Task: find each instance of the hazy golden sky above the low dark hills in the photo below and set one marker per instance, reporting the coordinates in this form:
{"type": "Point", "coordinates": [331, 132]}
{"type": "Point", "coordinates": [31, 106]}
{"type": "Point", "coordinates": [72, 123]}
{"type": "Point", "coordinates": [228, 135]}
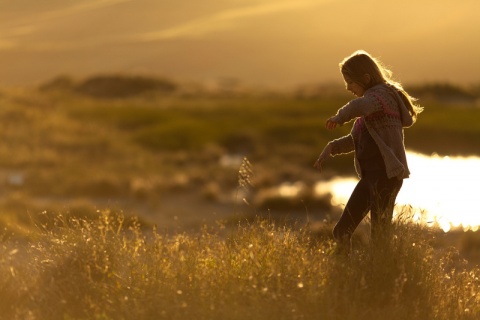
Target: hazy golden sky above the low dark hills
{"type": "Point", "coordinates": [276, 43]}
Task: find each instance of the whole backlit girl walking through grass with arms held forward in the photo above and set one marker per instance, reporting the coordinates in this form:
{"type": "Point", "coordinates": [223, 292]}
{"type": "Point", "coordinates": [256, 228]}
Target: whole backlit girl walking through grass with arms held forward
{"type": "Point", "coordinates": [381, 111]}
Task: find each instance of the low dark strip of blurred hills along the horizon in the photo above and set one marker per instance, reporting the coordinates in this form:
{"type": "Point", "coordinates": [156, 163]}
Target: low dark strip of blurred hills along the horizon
{"type": "Point", "coordinates": [130, 85]}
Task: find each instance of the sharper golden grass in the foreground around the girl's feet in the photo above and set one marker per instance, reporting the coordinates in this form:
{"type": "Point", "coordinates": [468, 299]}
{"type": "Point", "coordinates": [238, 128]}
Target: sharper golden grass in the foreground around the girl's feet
{"type": "Point", "coordinates": [110, 268]}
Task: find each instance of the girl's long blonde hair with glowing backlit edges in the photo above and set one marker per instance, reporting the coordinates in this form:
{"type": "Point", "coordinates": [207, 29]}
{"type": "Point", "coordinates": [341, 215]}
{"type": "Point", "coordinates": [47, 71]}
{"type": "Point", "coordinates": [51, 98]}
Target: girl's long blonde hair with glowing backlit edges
{"type": "Point", "coordinates": [360, 63]}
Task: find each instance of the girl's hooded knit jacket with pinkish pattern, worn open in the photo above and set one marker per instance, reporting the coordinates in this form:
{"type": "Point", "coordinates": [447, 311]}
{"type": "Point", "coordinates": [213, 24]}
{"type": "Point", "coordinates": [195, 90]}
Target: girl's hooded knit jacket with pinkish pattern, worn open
{"type": "Point", "coordinates": [385, 115]}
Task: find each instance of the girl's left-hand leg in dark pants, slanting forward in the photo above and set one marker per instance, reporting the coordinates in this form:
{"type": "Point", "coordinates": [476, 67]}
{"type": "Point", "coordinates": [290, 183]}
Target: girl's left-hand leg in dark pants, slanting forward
{"type": "Point", "coordinates": [356, 209]}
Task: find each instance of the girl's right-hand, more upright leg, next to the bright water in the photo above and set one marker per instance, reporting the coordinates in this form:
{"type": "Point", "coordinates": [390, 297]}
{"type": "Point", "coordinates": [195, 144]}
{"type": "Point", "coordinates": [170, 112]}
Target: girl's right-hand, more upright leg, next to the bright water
{"type": "Point", "coordinates": [381, 213]}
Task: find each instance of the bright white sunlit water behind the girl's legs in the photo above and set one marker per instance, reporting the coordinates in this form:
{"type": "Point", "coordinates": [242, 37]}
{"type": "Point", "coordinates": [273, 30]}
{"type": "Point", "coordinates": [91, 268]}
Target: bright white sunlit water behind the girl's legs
{"type": "Point", "coordinates": [441, 190]}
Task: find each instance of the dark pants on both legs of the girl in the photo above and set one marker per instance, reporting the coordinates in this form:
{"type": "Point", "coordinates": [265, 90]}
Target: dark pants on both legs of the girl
{"type": "Point", "coordinates": [375, 193]}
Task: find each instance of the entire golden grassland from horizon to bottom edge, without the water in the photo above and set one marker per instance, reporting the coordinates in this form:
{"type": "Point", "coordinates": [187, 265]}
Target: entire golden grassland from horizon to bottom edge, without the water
{"type": "Point", "coordinates": [75, 169]}
